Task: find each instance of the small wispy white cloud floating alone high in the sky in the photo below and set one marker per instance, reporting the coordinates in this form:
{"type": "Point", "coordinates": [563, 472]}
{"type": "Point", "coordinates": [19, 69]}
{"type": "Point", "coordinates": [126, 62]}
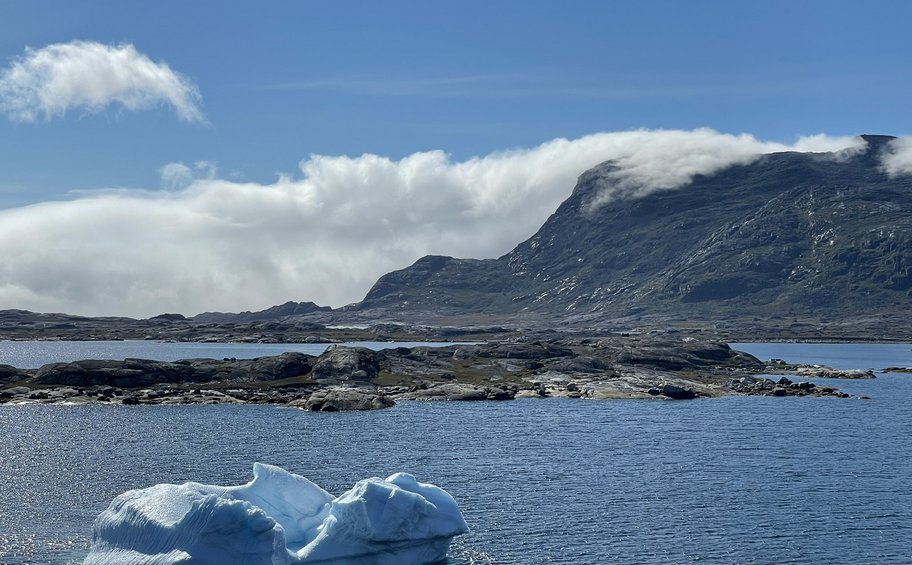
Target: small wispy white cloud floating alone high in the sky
{"type": "Point", "coordinates": [88, 76]}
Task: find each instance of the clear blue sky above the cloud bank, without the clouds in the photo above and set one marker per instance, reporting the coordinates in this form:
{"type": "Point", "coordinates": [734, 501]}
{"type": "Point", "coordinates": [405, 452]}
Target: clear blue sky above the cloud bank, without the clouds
{"type": "Point", "coordinates": [282, 80]}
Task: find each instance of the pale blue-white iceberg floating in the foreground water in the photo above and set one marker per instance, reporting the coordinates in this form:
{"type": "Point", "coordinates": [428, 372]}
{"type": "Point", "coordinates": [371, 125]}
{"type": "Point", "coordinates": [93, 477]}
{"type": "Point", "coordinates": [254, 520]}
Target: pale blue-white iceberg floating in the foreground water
{"type": "Point", "coordinates": [278, 518]}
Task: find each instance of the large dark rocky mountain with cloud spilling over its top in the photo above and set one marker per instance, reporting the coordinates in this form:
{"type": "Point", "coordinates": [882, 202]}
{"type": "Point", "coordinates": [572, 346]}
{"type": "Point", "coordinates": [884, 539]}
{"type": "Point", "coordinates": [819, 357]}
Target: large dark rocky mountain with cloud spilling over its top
{"type": "Point", "coordinates": [815, 236]}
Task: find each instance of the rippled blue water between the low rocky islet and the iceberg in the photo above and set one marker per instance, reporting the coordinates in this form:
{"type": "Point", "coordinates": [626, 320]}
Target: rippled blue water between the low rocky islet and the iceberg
{"type": "Point", "coordinates": [731, 480]}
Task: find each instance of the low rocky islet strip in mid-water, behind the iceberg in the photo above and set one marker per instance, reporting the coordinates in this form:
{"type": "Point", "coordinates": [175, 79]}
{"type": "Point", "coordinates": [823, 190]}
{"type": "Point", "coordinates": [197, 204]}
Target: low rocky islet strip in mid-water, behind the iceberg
{"type": "Point", "coordinates": [355, 378]}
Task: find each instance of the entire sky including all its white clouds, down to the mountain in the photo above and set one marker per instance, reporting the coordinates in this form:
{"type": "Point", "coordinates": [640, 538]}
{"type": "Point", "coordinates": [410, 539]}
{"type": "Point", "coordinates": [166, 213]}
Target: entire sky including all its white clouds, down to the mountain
{"type": "Point", "coordinates": [190, 156]}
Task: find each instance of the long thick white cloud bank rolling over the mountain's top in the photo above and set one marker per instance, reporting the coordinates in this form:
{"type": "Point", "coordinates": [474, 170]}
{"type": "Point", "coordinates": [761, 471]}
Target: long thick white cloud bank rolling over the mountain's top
{"type": "Point", "coordinates": [326, 235]}
